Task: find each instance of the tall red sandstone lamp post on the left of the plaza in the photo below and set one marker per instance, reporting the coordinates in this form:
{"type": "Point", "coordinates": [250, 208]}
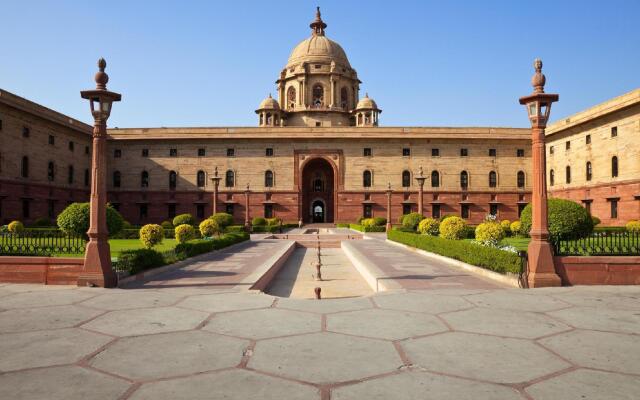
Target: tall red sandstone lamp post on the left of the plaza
{"type": "Point", "coordinates": [97, 269]}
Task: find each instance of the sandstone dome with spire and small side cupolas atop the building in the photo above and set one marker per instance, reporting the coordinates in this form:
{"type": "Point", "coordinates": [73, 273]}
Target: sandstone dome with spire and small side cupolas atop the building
{"type": "Point", "coordinates": [318, 87]}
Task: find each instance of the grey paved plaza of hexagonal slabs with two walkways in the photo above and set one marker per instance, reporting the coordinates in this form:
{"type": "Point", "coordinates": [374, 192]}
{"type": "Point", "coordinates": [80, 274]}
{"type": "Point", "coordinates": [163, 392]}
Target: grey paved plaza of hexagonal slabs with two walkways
{"type": "Point", "coordinates": [198, 335]}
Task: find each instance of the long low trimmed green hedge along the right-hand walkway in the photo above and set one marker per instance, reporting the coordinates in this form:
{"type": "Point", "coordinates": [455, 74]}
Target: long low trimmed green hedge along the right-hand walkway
{"type": "Point", "coordinates": [470, 253]}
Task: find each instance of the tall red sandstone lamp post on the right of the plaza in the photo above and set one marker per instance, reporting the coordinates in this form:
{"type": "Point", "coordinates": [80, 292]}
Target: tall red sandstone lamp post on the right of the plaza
{"type": "Point", "coordinates": [541, 267]}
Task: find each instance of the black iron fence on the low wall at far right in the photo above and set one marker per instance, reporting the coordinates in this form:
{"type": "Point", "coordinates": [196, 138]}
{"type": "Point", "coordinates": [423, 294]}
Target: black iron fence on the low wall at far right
{"type": "Point", "coordinates": [600, 244]}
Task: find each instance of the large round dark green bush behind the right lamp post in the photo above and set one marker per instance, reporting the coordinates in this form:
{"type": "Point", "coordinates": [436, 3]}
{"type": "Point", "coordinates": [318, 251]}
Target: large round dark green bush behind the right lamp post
{"type": "Point", "coordinates": [567, 219]}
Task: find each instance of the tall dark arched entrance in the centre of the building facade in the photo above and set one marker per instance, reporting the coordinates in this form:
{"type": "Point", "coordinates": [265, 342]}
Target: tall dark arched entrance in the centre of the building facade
{"type": "Point", "coordinates": [318, 191]}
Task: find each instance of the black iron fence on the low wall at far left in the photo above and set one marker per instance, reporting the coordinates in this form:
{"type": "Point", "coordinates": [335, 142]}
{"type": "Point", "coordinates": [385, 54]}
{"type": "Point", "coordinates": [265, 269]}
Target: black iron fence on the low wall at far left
{"type": "Point", "coordinates": [41, 243]}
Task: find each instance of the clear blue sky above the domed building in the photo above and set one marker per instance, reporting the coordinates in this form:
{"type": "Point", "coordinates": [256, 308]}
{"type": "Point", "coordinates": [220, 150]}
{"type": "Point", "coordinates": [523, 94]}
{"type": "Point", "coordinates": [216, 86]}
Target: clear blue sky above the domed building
{"type": "Point", "coordinates": [426, 63]}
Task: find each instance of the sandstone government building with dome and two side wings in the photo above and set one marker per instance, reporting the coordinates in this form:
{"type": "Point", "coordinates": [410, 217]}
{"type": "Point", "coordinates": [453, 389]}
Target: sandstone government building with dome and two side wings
{"type": "Point", "coordinates": [319, 154]}
